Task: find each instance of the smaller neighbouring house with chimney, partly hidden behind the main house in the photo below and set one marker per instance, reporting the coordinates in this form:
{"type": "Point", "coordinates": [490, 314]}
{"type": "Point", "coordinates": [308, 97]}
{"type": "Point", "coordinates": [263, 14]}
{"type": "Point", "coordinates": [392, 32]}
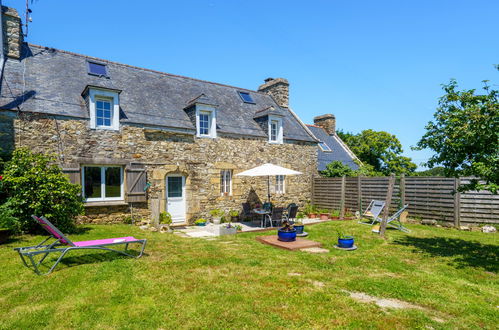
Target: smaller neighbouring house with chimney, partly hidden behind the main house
{"type": "Point", "coordinates": [330, 146]}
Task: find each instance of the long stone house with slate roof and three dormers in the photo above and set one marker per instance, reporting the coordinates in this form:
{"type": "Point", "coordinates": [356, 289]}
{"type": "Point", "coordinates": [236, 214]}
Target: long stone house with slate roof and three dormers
{"type": "Point", "coordinates": [143, 141]}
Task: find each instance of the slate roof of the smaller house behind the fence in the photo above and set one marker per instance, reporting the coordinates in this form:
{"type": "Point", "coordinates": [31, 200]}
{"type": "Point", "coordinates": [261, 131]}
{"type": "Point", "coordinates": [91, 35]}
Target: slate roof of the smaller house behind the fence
{"type": "Point", "coordinates": [339, 151]}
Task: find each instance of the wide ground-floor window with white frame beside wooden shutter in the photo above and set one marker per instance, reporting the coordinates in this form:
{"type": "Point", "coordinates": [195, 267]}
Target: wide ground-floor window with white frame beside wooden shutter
{"type": "Point", "coordinates": [102, 183]}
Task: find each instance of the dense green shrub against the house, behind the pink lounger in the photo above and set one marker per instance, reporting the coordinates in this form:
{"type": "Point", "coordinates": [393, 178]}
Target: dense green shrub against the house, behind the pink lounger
{"type": "Point", "coordinates": [34, 184]}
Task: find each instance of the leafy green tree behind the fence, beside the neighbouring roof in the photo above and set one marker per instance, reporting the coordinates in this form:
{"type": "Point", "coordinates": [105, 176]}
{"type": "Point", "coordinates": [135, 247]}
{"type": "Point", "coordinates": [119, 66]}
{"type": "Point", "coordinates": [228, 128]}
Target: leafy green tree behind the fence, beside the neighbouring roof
{"type": "Point", "coordinates": [381, 150]}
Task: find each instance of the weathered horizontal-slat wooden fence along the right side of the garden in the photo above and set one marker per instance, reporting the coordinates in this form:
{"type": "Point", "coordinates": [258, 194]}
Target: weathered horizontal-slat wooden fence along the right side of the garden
{"type": "Point", "coordinates": [428, 197]}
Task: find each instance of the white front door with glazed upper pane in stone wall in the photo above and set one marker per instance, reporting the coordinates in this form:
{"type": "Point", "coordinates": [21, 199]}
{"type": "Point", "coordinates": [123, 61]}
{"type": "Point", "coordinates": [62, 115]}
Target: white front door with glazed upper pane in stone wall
{"type": "Point", "coordinates": [175, 197]}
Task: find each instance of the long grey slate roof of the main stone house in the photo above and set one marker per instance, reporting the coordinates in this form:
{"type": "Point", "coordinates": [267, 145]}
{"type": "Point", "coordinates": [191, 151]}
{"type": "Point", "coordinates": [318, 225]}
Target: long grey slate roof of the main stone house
{"type": "Point", "coordinates": [55, 79]}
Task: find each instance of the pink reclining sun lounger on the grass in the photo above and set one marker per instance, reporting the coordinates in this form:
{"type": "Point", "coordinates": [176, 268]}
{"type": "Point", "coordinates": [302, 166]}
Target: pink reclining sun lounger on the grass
{"type": "Point", "coordinates": [63, 245]}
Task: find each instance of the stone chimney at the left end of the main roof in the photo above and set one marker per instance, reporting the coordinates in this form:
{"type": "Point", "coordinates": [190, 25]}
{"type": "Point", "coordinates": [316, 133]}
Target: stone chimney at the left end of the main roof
{"type": "Point", "coordinates": [12, 32]}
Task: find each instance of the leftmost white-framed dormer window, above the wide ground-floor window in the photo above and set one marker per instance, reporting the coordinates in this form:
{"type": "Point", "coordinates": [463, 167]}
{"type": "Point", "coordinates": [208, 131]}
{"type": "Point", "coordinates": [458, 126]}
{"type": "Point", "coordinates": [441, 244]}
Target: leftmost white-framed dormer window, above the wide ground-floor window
{"type": "Point", "coordinates": [104, 108]}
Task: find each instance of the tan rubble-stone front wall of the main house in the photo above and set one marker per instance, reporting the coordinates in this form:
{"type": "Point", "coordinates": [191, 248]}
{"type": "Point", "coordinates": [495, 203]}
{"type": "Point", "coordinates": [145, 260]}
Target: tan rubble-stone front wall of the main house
{"type": "Point", "coordinates": [163, 153]}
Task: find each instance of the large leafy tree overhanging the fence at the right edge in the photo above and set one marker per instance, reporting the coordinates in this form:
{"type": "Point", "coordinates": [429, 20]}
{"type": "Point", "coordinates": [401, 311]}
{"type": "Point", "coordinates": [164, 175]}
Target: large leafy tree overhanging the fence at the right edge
{"type": "Point", "coordinates": [465, 136]}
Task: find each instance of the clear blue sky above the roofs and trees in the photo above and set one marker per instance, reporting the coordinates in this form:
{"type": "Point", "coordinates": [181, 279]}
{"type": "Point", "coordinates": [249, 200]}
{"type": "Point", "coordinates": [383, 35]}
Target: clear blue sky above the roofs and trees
{"type": "Point", "coordinates": [373, 64]}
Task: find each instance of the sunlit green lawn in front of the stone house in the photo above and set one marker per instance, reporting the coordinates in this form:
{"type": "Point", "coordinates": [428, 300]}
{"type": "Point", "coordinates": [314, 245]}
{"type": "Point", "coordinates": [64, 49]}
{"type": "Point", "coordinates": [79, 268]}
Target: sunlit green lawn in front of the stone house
{"type": "Point", "coordinates": [237, 282]}
